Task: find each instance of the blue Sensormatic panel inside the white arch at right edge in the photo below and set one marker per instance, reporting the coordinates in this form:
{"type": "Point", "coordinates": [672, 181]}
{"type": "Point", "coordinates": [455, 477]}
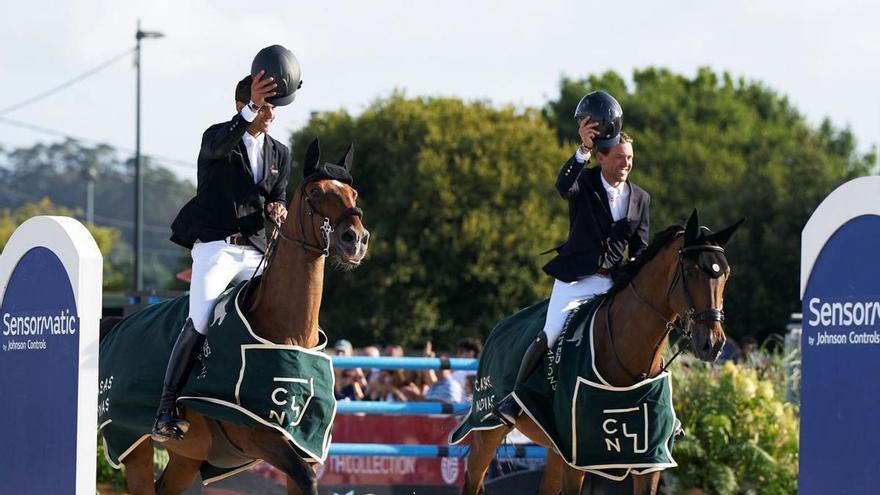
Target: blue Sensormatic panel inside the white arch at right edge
{"type": "Point", "coordinates": [839, 450]}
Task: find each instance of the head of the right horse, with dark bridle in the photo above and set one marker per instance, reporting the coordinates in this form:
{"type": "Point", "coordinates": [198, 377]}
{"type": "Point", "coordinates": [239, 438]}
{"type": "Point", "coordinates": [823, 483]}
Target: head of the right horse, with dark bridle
{"type": "Point", "coordinates": [699, 297]}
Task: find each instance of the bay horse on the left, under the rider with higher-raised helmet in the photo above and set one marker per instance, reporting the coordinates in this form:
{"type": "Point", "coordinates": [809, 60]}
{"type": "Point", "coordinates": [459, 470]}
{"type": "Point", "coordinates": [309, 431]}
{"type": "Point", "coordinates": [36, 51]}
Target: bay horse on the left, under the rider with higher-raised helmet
{"type": "Point", "coordinates": [283, 308]}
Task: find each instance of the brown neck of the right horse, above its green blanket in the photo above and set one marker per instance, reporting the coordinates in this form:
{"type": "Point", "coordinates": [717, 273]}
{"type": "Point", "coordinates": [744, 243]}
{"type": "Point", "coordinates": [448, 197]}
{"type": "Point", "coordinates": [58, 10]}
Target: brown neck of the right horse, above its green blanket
{"type": "Point", "coordinates": [636, 327]}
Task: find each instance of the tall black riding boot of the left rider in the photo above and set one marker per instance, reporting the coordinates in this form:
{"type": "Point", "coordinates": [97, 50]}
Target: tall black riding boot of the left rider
{"type": "Point", "coordinates": [169, 425]}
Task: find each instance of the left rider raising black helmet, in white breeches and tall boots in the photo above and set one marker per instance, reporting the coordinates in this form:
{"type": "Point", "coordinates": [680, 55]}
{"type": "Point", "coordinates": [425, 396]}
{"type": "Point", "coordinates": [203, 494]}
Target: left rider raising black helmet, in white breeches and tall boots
{"type": "Point", "coordinates": [242, 178]}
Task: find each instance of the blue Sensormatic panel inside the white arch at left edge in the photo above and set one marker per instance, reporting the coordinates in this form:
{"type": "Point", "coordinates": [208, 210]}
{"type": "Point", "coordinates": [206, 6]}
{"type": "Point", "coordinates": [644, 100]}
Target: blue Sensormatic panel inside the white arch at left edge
{"type": "Point", "coordinates": [39, 362]}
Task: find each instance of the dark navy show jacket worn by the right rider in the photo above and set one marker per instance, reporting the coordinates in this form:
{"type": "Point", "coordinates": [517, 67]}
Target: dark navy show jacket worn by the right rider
{"type": "Point", "coordinates": [595, 242]}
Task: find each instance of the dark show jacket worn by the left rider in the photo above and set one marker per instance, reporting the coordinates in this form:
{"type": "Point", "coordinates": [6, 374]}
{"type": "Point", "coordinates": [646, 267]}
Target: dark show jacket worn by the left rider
{"type": "Point", "coordinates": [227, 201]}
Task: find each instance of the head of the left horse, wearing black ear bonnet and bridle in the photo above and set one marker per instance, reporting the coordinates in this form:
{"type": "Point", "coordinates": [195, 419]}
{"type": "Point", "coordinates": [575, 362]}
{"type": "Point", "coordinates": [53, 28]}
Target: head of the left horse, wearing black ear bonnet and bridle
{"type": "Point", "coordinates": [329, 222]}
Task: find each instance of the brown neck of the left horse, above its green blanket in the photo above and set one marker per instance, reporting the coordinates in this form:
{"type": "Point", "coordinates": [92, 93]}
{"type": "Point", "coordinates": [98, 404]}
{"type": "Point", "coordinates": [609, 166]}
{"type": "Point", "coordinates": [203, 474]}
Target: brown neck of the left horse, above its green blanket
{"type": "Point", "coordinates": [288, 300]}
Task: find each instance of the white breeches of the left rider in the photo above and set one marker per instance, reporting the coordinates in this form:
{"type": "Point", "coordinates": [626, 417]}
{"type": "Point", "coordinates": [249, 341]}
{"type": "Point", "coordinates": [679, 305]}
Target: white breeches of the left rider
{"type": "Point", "coordinates": [215, 264]}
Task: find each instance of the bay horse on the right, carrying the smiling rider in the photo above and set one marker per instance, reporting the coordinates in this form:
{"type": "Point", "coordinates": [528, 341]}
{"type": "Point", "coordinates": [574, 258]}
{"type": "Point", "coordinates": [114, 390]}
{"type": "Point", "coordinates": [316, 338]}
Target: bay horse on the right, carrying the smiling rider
{"type": "Point", "coordinates": [679, 278]}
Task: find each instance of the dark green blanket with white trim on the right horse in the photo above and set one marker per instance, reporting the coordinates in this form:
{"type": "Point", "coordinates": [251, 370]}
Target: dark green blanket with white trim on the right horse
{"type": "Point", "coordinates": [606, 430]}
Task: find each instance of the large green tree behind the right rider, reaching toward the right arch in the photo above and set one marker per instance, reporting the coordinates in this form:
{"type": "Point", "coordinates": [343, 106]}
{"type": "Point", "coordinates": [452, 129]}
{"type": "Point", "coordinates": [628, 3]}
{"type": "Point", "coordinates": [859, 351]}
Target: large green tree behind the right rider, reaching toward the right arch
{"type": "Point", "coordinates": [731, 149]}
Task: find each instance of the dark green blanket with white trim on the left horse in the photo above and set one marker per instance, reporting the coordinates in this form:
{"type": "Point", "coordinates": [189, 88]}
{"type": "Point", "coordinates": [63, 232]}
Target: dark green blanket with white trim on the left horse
{"type": "Point", "coordinates": [239, 377]}
